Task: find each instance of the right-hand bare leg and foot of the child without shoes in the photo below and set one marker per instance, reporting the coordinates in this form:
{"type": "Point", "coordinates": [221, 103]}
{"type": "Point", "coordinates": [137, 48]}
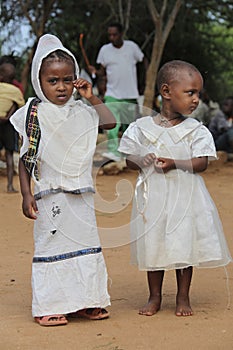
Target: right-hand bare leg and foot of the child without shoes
{"type": "Point", "coordinates": [183, 278]}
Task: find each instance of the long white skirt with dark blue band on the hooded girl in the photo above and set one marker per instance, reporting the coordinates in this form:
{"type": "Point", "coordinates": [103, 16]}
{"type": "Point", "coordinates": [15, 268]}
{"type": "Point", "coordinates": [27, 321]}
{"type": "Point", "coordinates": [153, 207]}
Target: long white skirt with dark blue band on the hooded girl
{"type": "Point", "coordinates": [68, 270]}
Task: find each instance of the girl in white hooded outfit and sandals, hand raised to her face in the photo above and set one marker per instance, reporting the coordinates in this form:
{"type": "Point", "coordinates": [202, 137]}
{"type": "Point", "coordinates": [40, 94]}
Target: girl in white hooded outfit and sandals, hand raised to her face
{"type": "Point", "coordinates": [69, 276]}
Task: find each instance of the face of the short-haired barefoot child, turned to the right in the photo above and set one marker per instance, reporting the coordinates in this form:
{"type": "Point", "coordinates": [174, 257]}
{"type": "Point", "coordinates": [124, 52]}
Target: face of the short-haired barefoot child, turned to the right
{"type": "Point", "coordinates": [184, 94]}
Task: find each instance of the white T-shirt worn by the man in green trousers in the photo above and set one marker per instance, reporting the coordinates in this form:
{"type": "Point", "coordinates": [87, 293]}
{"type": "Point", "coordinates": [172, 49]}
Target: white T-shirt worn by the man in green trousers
{"type": "Point", "coordinates": [120, 64]}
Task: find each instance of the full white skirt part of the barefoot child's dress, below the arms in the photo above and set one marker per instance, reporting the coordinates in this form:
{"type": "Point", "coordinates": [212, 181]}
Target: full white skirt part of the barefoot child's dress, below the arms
{"type": "Point", "coordinates": [175, 224]}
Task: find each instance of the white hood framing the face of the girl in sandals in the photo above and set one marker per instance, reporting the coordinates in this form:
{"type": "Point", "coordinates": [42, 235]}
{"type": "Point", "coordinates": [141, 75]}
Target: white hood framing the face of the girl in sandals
{"type": "Point", "coordinates": [47, 44]}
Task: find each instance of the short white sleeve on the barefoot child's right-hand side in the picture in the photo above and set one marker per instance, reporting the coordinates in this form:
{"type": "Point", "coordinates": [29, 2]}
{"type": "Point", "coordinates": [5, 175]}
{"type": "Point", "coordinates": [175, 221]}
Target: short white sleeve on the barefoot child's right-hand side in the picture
{"type": "Point", "coordinates": [203, 144]}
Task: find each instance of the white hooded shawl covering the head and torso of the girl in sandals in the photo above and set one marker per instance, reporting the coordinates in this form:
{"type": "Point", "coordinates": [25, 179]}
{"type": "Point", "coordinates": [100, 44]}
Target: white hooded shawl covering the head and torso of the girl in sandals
{"type": "Point", "coordinates": [68, 132]}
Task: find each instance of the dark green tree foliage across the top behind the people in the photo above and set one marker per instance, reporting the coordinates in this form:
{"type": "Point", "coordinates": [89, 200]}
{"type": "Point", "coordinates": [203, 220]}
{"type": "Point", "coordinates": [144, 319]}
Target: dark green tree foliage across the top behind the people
{"type": "Point", "coordinates": [202, 33]}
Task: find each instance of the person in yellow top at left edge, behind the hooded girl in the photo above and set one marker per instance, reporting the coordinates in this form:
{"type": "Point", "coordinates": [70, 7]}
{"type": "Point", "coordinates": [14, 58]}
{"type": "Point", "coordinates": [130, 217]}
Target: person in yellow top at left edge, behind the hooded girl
{"type": "Point", "coordinates": [11, 98]}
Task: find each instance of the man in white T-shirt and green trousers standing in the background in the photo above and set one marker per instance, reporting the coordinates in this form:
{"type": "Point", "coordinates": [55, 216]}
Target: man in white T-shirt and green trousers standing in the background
{"type": "Point", "coordinates": [118, 61]}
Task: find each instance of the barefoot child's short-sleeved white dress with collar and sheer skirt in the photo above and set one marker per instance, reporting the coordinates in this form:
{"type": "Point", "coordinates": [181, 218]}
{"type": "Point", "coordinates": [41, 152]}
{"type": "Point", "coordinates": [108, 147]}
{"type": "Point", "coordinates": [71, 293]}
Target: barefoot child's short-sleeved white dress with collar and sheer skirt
{"type": "Point", "coordinates": [175, 223]}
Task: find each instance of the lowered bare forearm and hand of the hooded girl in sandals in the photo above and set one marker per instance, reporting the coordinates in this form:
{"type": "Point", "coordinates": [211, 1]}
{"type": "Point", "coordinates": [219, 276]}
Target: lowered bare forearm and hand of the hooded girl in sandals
{"type": "Point", "coordinates": [29, 204]}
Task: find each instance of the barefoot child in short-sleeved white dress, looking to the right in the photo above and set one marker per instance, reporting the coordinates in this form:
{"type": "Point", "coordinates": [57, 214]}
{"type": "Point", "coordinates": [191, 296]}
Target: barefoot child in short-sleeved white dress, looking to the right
{"type": "Point", "coordinates": [175, 224]}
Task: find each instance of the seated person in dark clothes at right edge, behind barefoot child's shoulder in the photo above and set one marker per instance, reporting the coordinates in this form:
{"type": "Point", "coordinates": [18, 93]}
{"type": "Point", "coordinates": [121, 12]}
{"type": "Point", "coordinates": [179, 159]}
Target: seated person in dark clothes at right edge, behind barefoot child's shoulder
{"type": "Point", "coordinates": [221, 126]}
